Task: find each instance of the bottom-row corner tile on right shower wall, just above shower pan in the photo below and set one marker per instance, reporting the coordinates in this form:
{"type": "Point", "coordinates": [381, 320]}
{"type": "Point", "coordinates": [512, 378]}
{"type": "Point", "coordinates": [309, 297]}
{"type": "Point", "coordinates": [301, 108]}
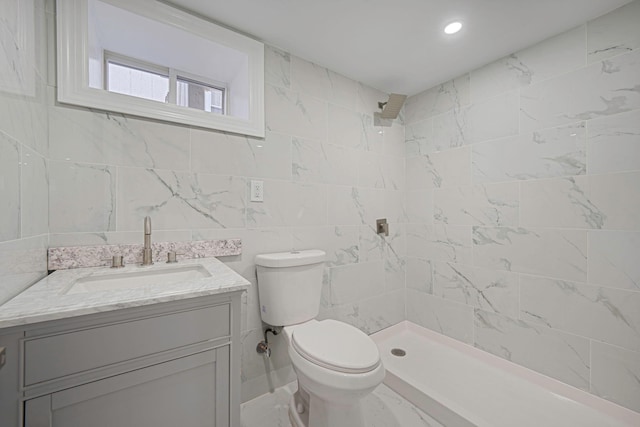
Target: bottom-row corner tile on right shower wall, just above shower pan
{"type": "Point", "coordinates": [446, 317]}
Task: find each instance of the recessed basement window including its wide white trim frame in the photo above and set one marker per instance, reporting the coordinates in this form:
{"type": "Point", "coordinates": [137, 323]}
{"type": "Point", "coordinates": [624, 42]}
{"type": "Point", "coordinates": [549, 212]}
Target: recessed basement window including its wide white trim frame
{"type": "Point", "coordinates": [149, 59]}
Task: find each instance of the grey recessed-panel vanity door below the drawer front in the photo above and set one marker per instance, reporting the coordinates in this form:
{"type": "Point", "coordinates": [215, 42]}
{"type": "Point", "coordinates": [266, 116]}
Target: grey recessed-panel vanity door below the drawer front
{"type": "Point", "coordinates": [192, 391]}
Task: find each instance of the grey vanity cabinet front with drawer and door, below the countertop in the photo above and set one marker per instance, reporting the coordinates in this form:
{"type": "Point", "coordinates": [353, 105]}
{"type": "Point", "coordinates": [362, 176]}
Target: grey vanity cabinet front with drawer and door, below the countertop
{"type": "Point", "coordinates": [170, 364]}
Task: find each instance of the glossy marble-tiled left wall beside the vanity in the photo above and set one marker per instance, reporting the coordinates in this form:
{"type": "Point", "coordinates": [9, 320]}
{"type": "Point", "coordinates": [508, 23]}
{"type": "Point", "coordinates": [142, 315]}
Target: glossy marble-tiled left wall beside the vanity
{"type": "Point", "coordinates": [24, 173]}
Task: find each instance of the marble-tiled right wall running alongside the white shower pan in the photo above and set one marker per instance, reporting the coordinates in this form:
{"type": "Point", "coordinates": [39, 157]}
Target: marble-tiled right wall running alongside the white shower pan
{"type": "Point", "coordinates": [523, 200]}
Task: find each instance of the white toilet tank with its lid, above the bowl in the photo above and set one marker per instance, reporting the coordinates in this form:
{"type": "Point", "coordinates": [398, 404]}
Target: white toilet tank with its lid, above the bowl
{"type": "Point", "coordinates": [289, 286]}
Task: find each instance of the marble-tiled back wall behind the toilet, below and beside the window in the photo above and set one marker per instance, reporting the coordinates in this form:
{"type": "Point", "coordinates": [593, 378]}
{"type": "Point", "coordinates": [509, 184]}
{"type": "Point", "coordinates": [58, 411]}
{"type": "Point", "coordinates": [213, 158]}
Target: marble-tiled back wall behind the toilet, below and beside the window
{"type": "Point", "coordinates": [327, 172]}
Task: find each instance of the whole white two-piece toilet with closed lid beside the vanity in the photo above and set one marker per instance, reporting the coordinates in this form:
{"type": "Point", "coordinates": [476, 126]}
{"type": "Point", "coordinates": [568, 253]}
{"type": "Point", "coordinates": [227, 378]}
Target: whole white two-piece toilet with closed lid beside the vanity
{"type": "Point", "coordinates": [337, 365]}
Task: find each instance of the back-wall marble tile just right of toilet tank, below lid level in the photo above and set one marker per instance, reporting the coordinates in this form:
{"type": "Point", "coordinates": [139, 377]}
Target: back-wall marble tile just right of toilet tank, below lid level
{"type": "Point", "coordinates": [354, 282]}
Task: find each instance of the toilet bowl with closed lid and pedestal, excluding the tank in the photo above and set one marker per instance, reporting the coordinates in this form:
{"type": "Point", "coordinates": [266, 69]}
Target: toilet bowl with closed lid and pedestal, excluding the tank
{"type": "Point", "coordinates": [337, 365]}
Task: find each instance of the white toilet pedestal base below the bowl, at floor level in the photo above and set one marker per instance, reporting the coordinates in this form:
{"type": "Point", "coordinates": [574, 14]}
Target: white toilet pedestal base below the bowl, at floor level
{"type": "Point", "coordinates": [324, 413]}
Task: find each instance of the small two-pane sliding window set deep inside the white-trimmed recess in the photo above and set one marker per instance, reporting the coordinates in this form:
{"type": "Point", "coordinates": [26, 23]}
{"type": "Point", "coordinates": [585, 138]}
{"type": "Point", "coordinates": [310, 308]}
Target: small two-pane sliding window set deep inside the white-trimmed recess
{"type": "Point", "coordinates": [130, 76]}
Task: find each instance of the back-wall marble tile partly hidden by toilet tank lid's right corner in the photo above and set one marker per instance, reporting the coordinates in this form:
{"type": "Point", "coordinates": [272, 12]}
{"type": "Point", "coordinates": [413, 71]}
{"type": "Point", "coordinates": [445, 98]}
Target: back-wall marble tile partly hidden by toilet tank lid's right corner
{"type": "Point", "coordinates": [341, 244]}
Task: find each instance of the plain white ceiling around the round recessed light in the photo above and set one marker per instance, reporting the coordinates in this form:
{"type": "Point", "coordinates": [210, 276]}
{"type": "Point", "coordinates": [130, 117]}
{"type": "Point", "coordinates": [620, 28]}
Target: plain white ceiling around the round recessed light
{"type": "Point", "coordinates": [398, 45]}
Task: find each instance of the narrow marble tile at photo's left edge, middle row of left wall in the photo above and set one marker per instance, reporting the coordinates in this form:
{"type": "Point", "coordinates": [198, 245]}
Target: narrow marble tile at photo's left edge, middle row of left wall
{"type": "Point", "coordinates": [9, 188]}
